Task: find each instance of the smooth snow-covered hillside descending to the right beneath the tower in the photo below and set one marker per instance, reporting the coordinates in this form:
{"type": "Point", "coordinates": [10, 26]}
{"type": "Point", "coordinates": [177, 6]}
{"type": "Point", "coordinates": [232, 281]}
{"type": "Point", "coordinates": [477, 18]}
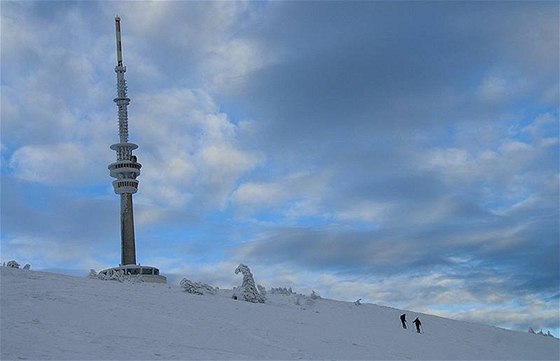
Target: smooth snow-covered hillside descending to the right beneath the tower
{"type": "Point", "coordinates": [51, 316]}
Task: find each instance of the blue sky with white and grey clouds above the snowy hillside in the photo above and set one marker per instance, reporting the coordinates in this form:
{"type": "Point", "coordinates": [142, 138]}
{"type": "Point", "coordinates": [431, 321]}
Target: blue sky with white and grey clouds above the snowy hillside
{"type": "Point", "coordinates": [405, 153]}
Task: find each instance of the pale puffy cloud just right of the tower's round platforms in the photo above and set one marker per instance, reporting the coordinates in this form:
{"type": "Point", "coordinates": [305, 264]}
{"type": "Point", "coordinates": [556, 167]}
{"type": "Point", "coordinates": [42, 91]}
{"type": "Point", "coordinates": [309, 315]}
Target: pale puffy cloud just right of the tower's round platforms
{"type": "Point", "coordinates": [192, 154]}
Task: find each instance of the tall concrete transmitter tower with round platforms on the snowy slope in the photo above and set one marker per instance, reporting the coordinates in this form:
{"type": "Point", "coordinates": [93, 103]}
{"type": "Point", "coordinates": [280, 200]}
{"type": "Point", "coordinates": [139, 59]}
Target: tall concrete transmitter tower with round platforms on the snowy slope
{"type": "Point", "coordinates": [126, 169]}
